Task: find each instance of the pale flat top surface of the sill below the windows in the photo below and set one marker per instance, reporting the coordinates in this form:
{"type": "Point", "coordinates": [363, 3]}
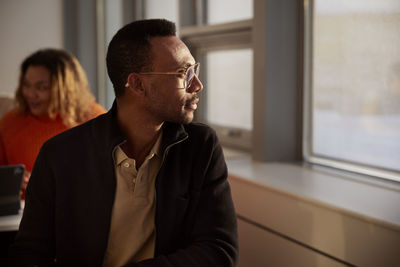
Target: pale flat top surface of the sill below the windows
{"type": "Point", "coordinates": [371, 199]}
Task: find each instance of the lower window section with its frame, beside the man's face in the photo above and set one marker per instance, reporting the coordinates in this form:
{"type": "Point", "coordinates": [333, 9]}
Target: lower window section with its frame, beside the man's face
{"type": "Point", "coordinates": [228, 95]}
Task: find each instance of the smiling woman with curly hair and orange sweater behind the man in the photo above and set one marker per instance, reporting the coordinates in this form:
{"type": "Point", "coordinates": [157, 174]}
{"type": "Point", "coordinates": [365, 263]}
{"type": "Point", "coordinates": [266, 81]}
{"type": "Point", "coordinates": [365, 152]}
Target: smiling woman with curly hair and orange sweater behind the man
{"type": "Point", "coordinates": [52, 96]}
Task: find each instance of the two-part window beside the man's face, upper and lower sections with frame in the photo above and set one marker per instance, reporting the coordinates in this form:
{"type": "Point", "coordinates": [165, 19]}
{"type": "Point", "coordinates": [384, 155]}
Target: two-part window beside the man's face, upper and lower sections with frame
{"type": "Point", "coordinates": [220, 39]}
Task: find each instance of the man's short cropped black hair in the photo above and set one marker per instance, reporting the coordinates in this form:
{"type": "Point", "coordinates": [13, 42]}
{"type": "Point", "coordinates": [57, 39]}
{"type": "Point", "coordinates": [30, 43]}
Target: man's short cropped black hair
{"type": "Point", "coordinates": [130, 49]}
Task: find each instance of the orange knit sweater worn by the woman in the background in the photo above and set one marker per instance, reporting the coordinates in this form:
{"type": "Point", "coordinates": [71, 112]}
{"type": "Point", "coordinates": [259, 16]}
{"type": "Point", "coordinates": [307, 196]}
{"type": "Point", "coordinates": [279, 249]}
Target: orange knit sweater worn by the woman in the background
{"type": "Point", "coordinates": [22, 135]}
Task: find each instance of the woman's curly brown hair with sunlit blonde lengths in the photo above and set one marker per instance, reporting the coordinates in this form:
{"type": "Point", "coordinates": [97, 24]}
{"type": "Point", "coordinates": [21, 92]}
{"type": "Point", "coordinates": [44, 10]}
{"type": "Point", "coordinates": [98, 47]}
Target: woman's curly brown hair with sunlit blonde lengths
{"type": "Point", "coordinates": [70, 95]}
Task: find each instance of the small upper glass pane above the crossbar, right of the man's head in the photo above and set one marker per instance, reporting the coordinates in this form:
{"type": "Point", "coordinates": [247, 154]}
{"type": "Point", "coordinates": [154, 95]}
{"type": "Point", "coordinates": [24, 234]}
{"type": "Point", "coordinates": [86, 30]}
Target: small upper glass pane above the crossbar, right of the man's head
{"type": "Point", "coordinates": [223, 11]}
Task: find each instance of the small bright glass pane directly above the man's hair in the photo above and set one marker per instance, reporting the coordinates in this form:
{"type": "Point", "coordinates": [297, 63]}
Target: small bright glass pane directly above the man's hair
{"type": "Point", "coordinates": [166, 9]}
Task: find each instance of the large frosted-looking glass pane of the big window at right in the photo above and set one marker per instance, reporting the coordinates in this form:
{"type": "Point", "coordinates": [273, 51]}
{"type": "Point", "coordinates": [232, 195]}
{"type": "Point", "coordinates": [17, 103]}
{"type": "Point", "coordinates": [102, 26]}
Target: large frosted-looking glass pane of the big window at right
{"type": "Point", "coordinates": [356, 81]}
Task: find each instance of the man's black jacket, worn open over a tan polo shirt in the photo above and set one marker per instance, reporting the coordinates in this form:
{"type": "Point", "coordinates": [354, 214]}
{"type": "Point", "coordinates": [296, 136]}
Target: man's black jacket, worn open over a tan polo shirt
{"type": "Point", "coordinates": [70, 196]}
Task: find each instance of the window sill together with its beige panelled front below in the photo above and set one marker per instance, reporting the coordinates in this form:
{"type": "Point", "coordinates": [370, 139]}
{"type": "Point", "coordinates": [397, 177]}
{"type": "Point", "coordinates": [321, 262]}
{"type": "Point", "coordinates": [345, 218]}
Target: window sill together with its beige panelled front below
{"type": "Point", "coordinates": [328, 216]}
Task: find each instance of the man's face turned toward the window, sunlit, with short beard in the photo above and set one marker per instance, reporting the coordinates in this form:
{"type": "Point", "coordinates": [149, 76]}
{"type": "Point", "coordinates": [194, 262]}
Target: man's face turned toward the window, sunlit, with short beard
{"type": "Point", "coordinates": [167, 99]}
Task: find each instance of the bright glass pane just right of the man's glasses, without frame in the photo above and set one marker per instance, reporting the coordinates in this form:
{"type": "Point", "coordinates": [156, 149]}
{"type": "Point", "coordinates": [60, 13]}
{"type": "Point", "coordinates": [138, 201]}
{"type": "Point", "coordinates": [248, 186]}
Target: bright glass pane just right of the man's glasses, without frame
{"type": "Point", "coordinates": [229, 88]}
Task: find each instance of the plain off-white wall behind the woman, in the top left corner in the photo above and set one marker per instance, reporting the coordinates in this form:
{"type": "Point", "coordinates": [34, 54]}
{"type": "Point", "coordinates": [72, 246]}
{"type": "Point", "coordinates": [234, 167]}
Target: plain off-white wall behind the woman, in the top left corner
{"type": "Point", "coordinates": [26, 26]}
